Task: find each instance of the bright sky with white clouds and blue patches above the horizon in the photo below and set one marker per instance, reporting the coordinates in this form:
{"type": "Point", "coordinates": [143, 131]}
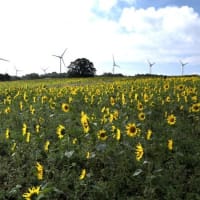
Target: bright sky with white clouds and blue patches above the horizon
{"type": "Point", "coordinates": [163, 32]}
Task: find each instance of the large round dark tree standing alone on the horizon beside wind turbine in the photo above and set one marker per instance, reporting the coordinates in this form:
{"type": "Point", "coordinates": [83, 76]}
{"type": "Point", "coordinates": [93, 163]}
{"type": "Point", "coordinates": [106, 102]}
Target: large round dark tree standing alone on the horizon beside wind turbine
{"type": "Point", "coordinates": [81, 67]}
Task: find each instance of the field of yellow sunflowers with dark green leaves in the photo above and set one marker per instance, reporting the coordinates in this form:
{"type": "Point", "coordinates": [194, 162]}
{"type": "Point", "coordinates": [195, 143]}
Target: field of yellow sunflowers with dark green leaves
{"type": "Point", "coordinates": [100, 138]}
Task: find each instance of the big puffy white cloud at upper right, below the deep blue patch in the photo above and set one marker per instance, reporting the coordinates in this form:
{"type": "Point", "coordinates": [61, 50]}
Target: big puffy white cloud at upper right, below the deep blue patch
{"type": "Point", "coordinates": [165, 31]}
